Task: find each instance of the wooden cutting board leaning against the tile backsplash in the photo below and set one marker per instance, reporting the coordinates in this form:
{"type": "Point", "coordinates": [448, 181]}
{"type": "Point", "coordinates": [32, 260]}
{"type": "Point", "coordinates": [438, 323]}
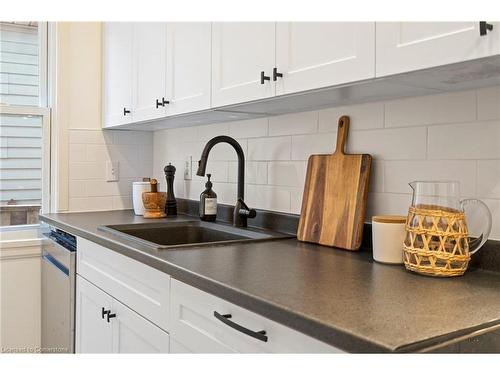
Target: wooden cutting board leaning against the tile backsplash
{"type": "Point", "coordinates": [335, 195]}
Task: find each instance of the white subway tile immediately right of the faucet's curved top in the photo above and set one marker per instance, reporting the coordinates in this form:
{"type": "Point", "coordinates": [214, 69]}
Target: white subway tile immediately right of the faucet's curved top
{"type": "Point", "coordinates": [274, 148]}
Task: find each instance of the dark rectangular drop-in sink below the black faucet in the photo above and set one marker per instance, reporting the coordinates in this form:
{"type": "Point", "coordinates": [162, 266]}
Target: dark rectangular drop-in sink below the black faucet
{"type": "Point", "coordinates": [187, 233]}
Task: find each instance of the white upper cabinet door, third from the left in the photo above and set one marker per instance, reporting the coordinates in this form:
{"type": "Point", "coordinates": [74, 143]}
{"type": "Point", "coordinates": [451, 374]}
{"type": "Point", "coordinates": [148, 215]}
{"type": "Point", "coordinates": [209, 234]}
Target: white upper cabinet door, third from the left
{"type": "Point", "coordinates": [188, 66]}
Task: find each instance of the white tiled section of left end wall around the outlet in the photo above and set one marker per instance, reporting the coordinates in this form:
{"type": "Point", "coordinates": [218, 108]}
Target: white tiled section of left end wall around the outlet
{"type": "Point", "coordinates": [89, 151]}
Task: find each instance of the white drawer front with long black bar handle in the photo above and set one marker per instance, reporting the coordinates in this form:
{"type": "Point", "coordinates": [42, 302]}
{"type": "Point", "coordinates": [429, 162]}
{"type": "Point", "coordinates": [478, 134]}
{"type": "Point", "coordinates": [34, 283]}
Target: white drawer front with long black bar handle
{"type": "Point", "coordinates": [195, 328]}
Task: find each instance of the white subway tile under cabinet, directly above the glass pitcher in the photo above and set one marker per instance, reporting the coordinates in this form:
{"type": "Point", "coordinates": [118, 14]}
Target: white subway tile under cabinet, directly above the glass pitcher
{"type": "Point", "coordinates": [431, 109]}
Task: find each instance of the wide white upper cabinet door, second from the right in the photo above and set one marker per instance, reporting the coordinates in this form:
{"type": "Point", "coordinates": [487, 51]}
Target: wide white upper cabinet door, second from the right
{"type": "Point", "coordinates": [311, 55]}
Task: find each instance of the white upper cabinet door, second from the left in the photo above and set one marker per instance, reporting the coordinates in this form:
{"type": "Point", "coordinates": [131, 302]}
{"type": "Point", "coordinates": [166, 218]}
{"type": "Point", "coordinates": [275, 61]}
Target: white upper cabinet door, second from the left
{"type": "Point", "coordinates": [149, 70]}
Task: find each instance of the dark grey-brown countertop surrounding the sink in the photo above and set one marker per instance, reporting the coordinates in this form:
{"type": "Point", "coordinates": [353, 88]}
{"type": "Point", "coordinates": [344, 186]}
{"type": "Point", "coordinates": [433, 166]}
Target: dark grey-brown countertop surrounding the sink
{"type": "Point", "coordinates": [340, 297]}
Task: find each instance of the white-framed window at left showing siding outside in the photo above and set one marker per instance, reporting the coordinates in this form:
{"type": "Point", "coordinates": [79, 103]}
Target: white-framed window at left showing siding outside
{"type": "Point", "coordinates": [24, 122]}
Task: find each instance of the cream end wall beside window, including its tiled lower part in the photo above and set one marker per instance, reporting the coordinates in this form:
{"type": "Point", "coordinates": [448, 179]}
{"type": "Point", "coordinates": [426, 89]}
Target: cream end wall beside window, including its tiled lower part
{"type": "Point", "coordinates": [82, 146]}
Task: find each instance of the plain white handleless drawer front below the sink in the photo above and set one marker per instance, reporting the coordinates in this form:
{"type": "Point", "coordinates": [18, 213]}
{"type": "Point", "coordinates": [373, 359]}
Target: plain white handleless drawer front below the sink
{"type": "Point", "coordinates": [142, 288]}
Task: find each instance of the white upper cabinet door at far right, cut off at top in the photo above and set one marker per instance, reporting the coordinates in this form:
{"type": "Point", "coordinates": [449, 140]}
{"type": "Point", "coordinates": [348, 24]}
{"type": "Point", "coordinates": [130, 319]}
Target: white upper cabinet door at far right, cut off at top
{"type": "Point", "coordinates": [407, 46]}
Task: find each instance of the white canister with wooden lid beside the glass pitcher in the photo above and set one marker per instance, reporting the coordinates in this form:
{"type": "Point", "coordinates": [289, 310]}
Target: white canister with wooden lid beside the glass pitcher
{"type": "Point", "coordinates": [388, 234]}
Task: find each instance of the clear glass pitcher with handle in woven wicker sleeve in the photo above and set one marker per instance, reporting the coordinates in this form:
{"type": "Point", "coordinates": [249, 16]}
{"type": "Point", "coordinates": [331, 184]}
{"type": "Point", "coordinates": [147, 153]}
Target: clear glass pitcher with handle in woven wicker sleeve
{"type": "Point", "coordinates": [437, 241]}
